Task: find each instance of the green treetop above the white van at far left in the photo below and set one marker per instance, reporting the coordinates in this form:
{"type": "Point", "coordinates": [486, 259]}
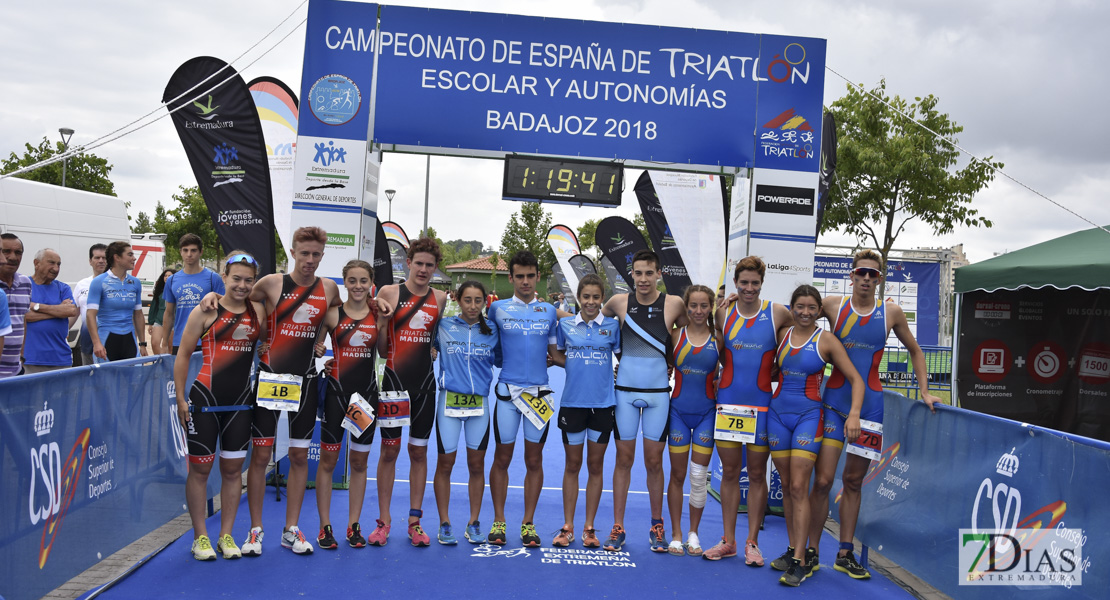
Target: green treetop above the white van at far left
{"type": "Point", "coordinates": [84, 171]}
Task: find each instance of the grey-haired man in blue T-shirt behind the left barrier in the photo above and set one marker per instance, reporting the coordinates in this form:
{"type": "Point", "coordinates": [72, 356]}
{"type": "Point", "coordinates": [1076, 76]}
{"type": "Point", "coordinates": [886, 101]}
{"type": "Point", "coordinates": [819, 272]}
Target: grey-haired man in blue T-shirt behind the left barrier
{"type": "Point", "coordinates": [47, 348]}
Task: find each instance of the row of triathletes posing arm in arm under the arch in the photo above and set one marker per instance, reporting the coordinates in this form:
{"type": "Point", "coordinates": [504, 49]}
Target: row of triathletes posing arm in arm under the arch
{"type": "Point", "coordinates": [620, 358]}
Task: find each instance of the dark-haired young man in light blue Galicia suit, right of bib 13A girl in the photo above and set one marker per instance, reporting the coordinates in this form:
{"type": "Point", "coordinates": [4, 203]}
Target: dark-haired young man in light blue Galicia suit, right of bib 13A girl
{"type": "Point", "coordinates": [528, 335]}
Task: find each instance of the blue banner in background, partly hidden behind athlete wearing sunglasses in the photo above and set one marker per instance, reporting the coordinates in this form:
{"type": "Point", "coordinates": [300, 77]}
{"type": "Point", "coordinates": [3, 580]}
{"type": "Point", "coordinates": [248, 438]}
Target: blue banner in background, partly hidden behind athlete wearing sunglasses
{"type": "Point", "coordinates": [914, 287]}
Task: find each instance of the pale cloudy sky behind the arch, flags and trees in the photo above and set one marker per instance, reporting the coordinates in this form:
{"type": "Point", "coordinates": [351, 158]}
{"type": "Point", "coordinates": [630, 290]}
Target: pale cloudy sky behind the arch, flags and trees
{"type": "Point", "coordinates": [1025, 79]}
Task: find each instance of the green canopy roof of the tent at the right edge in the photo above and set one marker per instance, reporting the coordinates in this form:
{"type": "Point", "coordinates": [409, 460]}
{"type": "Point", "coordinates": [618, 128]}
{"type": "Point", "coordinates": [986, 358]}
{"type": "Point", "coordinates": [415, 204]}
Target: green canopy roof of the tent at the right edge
{"type": "Point", "coordinates": [1078, 260]}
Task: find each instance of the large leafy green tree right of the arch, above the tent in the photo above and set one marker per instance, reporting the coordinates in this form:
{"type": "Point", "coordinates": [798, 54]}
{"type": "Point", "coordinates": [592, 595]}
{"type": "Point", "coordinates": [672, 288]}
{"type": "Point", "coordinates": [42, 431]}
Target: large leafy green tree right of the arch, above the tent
{"type": "Point", "coordinates": [892, 170]}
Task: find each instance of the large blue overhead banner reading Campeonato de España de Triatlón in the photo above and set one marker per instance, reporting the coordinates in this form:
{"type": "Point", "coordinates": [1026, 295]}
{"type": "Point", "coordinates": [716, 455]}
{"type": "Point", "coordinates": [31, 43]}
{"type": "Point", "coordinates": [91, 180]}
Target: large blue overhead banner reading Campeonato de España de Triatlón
{"type": "Point", "coordinates": [510, 84]}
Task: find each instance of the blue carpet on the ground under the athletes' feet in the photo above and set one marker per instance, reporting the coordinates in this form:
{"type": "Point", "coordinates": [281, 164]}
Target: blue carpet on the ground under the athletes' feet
{"type": "Point", "coordinates": [470, 572]}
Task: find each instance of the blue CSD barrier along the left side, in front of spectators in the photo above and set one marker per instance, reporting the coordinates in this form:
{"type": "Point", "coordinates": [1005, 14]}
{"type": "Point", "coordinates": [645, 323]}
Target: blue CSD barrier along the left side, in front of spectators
{"type": "Point", "coordinates": [94, 459]}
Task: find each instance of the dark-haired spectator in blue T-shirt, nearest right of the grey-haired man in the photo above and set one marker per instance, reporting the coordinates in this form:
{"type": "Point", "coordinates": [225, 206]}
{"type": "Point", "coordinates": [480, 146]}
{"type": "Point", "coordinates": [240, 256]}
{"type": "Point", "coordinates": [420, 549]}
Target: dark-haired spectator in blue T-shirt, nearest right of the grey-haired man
{"type": "Point", "coordinates": [115, 309]}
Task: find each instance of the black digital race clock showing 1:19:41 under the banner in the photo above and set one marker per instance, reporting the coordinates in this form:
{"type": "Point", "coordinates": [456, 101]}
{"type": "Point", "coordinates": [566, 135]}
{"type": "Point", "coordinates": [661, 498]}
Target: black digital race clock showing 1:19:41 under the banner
{"type": "Point", "coordinates": [569, 181]}
